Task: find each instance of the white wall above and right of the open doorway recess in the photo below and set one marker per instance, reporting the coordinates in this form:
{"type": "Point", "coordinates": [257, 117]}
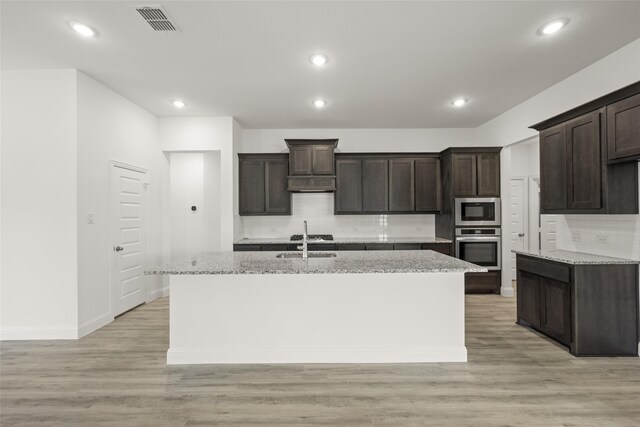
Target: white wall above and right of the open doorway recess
{"type": "Point", "coordinates": [207, 134]}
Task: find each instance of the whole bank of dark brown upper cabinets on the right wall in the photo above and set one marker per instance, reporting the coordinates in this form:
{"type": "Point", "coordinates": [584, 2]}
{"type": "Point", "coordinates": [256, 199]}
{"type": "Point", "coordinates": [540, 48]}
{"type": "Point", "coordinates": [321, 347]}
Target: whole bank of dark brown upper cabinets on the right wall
{"type": "Point", "coordinates": [576, 175]}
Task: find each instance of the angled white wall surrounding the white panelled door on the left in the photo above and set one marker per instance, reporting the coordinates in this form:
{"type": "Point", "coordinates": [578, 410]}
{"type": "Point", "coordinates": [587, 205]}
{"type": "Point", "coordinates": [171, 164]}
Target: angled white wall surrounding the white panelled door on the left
{"type": "Point", "coordinates": [111, 127]}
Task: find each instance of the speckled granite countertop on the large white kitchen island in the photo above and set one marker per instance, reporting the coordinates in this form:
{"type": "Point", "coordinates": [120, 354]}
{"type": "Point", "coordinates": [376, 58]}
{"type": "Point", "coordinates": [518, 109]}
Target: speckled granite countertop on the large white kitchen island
{"type": "Point", "coordinates": [344, 262]}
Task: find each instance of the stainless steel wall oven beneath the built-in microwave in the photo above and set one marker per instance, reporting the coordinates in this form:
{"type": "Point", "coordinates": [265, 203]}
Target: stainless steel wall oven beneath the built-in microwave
{"type": "Point", "coordinates": [480, 246]}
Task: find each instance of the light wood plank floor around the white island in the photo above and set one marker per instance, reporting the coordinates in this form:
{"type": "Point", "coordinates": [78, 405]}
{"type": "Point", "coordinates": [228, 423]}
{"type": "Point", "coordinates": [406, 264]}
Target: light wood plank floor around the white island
{"type": "Point", "coordinates": [117, 376]}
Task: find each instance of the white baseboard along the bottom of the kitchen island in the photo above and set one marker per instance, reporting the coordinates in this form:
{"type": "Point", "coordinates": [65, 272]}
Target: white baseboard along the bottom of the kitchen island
{"type": "Point", "coordinates": [186, 356]}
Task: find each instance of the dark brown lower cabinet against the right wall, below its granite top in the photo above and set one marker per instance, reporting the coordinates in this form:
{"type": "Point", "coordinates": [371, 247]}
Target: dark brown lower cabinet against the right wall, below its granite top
{"type": "Point", "coordinates": [591, 309]}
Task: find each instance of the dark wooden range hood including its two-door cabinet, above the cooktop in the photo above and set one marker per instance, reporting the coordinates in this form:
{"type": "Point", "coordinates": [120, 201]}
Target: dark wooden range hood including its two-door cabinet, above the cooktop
{"type": "Point", "coordinates": [311, 165]}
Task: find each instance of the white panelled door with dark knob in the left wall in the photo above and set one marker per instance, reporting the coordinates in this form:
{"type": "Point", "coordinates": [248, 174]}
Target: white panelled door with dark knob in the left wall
{"type": "Point", "coordinates": [127, 276]}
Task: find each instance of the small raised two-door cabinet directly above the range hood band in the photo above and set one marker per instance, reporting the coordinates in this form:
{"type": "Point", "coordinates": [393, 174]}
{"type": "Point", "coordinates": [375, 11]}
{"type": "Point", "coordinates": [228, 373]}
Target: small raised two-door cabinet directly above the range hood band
{"type": "Point", "coordinates": [311, 156]}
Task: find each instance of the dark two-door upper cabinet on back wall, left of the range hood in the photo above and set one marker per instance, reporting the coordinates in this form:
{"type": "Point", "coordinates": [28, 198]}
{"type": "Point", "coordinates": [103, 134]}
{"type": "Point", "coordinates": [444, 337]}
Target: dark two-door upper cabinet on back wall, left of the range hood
{"type": "Point", "coordinates": [263, 184]}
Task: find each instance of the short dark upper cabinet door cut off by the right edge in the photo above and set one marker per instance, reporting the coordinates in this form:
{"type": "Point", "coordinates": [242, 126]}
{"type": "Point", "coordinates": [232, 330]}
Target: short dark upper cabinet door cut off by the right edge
{"type": "Point", "coordinates": [623, 129]}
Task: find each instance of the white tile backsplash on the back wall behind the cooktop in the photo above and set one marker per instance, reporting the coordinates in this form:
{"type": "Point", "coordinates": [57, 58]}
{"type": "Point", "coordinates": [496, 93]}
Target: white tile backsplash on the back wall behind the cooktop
{"type": "Point", "coordinates": [317, 209]}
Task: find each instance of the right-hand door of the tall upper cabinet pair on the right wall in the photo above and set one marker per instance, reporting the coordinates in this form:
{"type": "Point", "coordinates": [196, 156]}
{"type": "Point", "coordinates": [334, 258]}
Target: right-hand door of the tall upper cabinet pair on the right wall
{"type": "Point", "coordinates": [584, 181]}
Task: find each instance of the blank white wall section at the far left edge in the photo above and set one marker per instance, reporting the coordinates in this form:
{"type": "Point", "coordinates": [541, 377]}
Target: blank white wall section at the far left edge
{"type": "Point", "coordinates": [39, 292]}
